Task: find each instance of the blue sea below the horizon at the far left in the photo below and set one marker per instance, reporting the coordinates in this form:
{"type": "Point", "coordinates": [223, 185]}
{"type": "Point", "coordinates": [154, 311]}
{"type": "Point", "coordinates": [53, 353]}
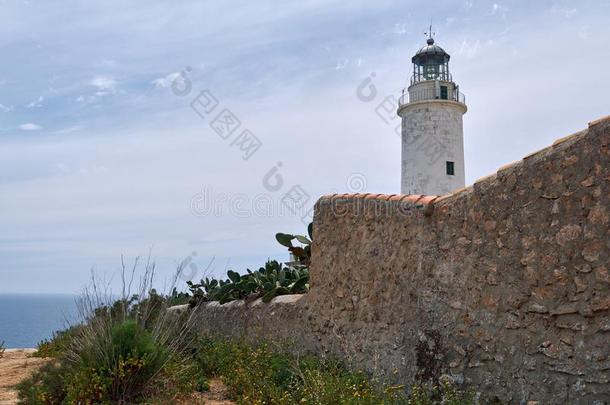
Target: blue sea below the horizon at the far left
{"type": "Point", "coordinates": [26, 319]}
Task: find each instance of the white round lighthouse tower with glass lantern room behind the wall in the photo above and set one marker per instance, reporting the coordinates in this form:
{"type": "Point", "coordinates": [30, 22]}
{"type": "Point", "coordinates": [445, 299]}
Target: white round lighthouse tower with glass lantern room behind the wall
{"type": "Point", "coordinates": [431, 109]}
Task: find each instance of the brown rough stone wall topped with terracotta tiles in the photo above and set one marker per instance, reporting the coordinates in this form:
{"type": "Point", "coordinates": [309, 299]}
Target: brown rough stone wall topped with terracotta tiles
{"type": "Point", "coordinates": [503, 286]}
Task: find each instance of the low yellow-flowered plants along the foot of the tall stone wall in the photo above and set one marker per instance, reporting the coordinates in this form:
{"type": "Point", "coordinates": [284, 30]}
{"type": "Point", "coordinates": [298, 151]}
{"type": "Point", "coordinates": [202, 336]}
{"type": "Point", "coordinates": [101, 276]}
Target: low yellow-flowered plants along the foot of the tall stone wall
{"type": "Point", "coordinates": [261, 374]}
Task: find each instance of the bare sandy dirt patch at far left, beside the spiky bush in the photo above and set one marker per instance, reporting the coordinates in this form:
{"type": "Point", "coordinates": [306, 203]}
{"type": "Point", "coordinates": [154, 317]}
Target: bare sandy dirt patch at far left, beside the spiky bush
{"type": "Point", "coordinates": [15, 365]}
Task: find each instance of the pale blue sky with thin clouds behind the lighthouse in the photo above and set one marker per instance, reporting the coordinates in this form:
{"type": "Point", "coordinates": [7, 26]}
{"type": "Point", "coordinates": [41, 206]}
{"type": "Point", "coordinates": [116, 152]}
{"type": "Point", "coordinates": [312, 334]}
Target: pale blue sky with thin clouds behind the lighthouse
{"type": "Point", "coordinates": [112, 141]}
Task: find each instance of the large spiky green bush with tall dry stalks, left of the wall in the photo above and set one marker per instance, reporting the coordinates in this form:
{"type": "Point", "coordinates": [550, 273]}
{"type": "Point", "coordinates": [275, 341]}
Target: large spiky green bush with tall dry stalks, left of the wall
{"type": "Point", "coordinates": [125, 351]}
